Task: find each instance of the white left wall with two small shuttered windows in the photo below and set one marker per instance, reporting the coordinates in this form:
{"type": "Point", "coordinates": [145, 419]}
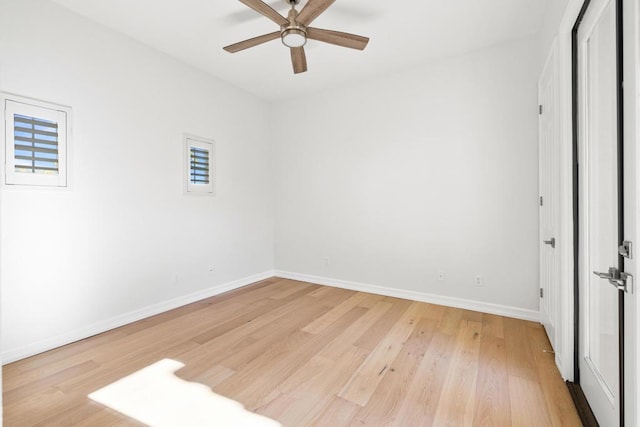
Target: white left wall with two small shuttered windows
{"type": "Point", "coordinates": [112, 245]}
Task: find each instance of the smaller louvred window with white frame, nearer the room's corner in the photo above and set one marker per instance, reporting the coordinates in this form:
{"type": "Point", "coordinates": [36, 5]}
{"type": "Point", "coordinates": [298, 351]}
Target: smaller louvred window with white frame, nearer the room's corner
{"type": "Point", "coordinates": [199, 165]}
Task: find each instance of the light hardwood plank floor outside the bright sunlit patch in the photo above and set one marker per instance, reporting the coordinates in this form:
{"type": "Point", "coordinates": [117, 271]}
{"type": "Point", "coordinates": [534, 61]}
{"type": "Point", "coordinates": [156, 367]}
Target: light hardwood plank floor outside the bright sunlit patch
{"type": "Point", "coordinates": [304, 354]}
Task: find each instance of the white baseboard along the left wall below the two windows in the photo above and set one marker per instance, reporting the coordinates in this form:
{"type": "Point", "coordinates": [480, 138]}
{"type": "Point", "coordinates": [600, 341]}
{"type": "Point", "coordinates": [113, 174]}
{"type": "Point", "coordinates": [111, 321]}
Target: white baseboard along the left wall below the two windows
{"type": "Point", "coordinates": [12, 355]}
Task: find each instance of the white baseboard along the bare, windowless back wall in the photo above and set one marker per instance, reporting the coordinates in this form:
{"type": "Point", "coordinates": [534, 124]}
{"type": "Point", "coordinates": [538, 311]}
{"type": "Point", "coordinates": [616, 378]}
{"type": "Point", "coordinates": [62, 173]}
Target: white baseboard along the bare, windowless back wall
{"type": "Point", "coordinates": [484, 307]}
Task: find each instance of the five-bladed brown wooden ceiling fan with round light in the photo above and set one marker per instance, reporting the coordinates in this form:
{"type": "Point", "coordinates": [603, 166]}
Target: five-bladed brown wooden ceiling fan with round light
{"type": "Point", "coordinates": [295, 30]}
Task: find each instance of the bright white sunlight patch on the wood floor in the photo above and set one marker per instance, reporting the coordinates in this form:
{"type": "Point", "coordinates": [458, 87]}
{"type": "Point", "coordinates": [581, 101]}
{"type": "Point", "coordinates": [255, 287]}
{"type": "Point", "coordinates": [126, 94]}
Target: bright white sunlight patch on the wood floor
{"type": "Point", "coordinates": [157, 397]}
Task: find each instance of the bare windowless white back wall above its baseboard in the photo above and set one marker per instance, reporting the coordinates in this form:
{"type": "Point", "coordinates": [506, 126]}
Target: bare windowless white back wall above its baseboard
{"type": "Point", "coordinates": [399, 178]}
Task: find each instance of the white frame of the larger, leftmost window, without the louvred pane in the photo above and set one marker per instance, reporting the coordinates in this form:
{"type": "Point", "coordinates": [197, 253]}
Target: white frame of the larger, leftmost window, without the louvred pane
{"type": "Point", "coordinates": [61, 114]}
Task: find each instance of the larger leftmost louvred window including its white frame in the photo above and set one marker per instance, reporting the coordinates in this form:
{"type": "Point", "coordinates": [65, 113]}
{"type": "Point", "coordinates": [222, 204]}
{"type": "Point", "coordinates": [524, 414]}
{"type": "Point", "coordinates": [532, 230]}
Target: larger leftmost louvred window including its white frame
{"type": "Point", "coordinates": [35, 142]}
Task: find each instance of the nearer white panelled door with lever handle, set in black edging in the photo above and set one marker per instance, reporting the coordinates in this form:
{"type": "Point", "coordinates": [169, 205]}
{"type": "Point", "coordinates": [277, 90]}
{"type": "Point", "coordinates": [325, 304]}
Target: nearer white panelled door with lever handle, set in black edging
{"type": "Point", "coordinates": [599, 206]}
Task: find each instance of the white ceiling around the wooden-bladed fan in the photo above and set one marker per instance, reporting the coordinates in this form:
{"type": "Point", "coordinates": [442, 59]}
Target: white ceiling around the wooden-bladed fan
{"type": "Point", "coordinates": [402, 35]}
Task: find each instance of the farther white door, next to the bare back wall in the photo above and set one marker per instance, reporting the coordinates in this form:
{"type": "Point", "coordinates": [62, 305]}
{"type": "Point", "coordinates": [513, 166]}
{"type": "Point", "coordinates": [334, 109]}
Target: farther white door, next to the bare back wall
{"type": "Point", "coordinates": [549, 184]}
